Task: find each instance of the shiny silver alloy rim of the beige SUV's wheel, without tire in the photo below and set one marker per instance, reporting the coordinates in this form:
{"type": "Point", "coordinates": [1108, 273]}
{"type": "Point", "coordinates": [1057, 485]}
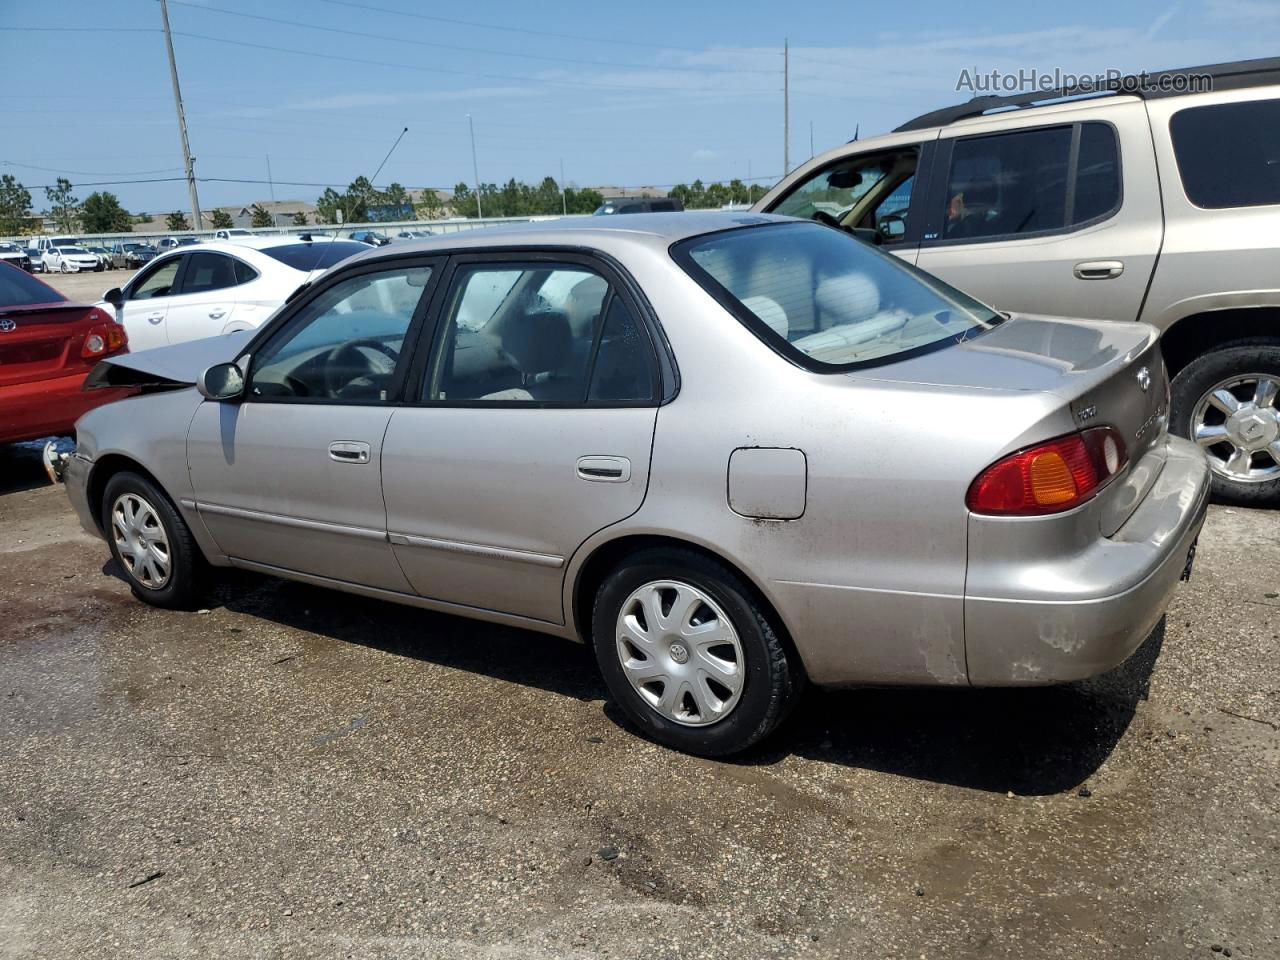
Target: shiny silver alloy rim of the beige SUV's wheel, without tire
{"type": "Point", "coordinates": [1238, 426]}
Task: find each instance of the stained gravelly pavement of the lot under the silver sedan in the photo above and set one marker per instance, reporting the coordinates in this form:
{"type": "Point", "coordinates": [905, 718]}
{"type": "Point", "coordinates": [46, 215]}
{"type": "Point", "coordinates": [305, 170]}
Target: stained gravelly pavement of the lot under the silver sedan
{"type": "Point", "coordinates": [299, 774]}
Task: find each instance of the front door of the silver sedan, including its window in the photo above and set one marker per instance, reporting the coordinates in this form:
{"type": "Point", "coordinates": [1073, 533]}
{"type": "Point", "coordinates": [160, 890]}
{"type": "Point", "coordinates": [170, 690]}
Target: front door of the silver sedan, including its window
{"type": "Point", "coordinates": [289, 479]}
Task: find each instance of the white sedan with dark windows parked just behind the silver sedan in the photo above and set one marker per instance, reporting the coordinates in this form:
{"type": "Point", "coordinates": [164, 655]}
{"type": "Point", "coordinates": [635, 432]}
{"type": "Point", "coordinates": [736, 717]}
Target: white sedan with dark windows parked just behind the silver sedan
{"type": "Point", "coordinates": [194, 292]}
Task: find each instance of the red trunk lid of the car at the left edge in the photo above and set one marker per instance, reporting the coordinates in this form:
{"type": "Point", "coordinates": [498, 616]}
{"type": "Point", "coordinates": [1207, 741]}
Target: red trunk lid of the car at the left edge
{"type": "Point", "coordinates": [40, 342]}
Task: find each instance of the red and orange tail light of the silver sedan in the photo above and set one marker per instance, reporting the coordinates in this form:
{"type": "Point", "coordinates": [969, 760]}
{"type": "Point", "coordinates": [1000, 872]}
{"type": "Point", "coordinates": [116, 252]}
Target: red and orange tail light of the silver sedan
{"type": "Point", "coordinates": [1052, 477]}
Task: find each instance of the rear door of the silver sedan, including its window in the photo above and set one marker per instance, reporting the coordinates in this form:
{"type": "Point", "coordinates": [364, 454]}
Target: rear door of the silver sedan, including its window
{"type": "Point", "coordinates": [531, 431]}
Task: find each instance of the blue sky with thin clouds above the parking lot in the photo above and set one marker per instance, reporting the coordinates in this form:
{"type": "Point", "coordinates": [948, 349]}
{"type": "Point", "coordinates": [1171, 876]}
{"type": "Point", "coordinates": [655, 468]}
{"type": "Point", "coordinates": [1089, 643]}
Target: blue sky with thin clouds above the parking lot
{"type": "Point", "coordinates": [624, 94]}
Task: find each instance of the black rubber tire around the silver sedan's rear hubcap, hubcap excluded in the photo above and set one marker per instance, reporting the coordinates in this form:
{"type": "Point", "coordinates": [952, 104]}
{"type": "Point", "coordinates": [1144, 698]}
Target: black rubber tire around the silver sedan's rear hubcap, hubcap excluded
{"type": "Point", "coordinates": [772, 676]}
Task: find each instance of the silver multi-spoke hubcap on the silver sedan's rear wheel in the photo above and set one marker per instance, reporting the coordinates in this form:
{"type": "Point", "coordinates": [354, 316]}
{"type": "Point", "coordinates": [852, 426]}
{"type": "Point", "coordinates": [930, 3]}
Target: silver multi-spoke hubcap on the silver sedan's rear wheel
{"type": "Point", "coordinates": [680, 653]}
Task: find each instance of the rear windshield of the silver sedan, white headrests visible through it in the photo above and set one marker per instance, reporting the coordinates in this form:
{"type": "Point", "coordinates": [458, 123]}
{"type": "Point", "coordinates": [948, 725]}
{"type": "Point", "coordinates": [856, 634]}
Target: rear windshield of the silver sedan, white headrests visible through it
{"type": "Point", "coordinates": [826, 300]}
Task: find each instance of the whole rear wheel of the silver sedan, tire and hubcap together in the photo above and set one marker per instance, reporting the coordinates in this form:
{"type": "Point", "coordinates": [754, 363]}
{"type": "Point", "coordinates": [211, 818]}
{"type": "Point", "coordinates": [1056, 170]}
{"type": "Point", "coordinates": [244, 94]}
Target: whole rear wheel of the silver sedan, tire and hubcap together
{"type": "Point", "coordinates": [691, 656]}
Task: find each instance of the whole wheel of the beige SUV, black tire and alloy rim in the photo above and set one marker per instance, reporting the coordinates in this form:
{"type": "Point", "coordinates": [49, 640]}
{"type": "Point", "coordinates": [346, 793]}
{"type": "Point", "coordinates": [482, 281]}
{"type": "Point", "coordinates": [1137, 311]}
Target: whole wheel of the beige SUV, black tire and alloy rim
{"type": "Point", "coordinates": [1227, 401]}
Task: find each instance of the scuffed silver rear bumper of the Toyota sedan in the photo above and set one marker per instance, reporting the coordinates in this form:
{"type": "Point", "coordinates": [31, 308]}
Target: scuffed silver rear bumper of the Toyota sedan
{"type": "Point", "coordinates": [1069, 619]}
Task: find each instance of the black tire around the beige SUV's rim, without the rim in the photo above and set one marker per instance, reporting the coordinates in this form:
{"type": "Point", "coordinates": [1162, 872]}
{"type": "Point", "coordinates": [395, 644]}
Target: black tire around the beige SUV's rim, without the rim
{"type": "Point", "coordinates": [1203, 376]}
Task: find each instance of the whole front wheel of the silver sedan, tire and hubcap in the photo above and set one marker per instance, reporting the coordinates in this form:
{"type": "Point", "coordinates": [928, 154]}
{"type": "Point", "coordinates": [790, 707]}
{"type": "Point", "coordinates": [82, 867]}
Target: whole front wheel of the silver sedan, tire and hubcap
{"type": "Point", "coordinates": [152, 543]}
